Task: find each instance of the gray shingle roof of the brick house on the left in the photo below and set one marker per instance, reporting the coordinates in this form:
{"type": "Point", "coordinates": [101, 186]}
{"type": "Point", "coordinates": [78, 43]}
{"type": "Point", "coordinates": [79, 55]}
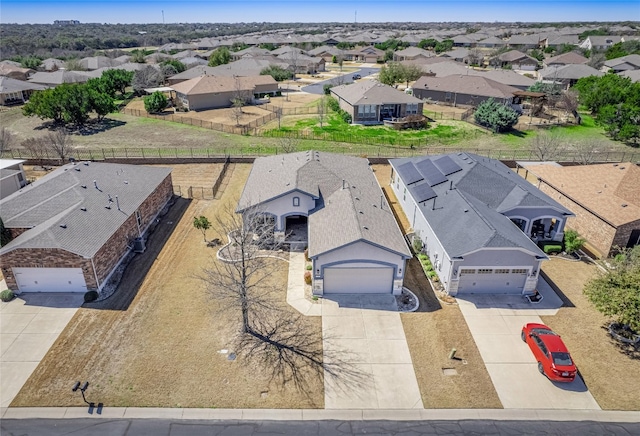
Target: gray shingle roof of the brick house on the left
{"type": "Point", "coordinates": [57, 199]}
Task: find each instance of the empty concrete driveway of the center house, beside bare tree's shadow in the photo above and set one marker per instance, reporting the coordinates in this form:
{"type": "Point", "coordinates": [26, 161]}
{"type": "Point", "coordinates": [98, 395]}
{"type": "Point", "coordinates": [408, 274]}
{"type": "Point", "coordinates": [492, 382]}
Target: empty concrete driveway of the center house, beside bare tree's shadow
{"type": "Point", "coordinates": [365, 333]}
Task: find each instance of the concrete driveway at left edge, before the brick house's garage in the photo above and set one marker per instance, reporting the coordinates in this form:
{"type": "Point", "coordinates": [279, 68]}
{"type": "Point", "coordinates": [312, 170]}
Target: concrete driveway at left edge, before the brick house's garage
{"type": "Point", "coordinates": [29, 325]}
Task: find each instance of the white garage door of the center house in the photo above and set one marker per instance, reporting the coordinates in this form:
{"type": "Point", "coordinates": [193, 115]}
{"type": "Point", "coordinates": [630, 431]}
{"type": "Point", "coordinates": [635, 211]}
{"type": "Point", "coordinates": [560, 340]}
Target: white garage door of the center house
{"type": "Point", "coordinates": [358, 280]}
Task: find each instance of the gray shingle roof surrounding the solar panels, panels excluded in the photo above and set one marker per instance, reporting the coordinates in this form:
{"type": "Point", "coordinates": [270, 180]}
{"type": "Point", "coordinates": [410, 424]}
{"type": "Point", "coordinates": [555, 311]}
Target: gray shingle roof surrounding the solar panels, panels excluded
{"type": "Point", "coordinates": [467, 215]}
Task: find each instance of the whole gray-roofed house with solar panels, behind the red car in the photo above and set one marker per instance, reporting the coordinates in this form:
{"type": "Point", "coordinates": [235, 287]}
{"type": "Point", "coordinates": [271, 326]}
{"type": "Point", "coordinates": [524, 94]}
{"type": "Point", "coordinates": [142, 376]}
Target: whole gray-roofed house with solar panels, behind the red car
{"type": "Point", "coordinates": [479, 222]}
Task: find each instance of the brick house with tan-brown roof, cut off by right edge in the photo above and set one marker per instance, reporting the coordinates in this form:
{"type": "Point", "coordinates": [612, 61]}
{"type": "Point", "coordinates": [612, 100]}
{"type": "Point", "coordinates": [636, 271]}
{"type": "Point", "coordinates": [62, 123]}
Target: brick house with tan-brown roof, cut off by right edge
{"type": "Point", "coordinates": [604, 198]}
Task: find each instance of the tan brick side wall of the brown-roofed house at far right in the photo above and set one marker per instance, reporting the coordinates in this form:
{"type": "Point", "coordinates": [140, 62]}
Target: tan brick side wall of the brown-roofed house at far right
{"type": "Point", "coordinates": [600, 235]}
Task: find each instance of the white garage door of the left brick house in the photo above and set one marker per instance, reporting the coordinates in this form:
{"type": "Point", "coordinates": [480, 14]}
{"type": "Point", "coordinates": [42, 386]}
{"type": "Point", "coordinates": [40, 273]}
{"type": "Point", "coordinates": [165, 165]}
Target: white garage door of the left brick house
{"type": "Point", "coordinates": [50, 279]}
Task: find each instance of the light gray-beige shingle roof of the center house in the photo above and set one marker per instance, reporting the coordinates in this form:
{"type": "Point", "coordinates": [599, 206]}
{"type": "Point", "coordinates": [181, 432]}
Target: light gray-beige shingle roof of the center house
{"type": "Point", "coordinates": [351, 205]}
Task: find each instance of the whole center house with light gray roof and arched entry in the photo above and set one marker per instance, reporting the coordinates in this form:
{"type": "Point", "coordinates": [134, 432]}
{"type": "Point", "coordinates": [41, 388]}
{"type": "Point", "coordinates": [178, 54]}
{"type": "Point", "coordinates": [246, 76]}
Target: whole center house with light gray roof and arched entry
{"type": "Point", "coordinates": [333, 205]}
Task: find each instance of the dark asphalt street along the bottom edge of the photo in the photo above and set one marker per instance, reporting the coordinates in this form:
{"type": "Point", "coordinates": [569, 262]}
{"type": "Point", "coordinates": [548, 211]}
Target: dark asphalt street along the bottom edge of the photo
{"type": "Point", "coordinates": [173, 427]}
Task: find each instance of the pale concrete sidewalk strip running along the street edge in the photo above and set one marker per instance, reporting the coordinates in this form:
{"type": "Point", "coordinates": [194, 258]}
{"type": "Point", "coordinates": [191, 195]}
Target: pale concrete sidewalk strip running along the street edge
{"type": "Point", "coordinates": [321, 414]}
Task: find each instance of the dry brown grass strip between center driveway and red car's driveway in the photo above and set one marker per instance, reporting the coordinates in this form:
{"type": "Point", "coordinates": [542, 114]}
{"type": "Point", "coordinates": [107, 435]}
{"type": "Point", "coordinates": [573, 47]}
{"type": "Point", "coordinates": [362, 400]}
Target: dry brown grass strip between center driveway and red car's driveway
{"type": "Point", "coordinates": [433, 331]}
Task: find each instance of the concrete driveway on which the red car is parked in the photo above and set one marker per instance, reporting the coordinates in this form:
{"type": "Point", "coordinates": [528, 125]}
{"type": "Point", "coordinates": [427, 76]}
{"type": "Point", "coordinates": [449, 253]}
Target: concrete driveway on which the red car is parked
{"type": "Point", "coordinates": [495, 322]}
